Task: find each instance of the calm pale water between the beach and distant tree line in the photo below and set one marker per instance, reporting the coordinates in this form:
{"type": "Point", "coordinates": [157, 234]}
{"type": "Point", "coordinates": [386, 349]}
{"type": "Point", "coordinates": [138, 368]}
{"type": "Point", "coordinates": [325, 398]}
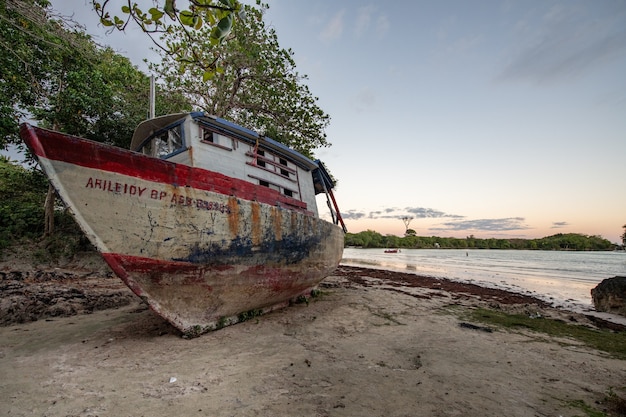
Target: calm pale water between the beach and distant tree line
{"type": "Point", "coordinates": [562, 278]}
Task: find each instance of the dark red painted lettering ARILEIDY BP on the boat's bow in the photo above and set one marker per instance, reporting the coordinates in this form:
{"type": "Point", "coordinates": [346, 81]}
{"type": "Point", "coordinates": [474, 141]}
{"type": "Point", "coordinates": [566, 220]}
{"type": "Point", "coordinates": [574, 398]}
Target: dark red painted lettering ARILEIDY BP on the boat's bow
{"type": "Point", "coordinates": [123, 188]}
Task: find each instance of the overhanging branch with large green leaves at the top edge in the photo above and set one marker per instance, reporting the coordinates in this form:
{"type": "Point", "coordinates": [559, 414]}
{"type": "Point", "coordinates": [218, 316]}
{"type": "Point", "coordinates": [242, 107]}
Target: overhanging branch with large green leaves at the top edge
{"type": "Point", "coordinates": [215, 18]}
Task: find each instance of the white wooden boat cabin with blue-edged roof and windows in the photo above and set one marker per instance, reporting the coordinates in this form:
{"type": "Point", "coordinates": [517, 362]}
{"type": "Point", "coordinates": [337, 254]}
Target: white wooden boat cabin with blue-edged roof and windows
{"type": "Point", "coordinates": [214, 144]}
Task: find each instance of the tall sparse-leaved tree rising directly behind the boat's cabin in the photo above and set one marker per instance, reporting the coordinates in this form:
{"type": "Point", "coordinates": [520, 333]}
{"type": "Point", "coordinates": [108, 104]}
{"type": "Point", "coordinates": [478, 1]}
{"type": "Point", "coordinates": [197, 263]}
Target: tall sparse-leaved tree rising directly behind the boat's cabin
{"type": "Point", "coordinates": [257, 85]}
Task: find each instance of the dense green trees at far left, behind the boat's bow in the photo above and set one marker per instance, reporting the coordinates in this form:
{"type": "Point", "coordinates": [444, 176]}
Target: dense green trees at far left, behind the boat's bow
{"type": "Point", "coordinates": [61, 78]}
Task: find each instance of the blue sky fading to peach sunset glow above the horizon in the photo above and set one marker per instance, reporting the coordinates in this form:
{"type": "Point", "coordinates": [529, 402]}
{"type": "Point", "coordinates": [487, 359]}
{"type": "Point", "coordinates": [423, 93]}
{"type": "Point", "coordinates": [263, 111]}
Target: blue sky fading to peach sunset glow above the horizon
{"type": "Point", "coordinates": [488, 118]}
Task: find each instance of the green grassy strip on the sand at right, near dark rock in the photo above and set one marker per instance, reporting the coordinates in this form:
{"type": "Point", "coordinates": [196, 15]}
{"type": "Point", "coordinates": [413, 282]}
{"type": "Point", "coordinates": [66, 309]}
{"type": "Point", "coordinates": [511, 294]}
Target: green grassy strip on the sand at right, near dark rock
{"type": "Point", "coordinates": [611, 342]}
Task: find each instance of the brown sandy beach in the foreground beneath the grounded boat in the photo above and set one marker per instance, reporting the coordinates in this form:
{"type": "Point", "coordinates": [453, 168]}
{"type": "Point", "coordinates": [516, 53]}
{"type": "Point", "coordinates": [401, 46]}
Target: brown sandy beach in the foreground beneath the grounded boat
{"type": "Point", "coordinates": [374, 343]}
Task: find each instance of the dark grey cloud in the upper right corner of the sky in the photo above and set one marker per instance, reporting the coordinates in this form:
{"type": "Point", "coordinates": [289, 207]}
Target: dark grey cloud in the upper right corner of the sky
{"type": "Point", "coordinates": [566, 44]}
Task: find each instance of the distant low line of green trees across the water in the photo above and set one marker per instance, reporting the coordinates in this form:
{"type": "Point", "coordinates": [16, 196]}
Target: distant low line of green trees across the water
{"type": "Point", "coordinates": [568, 241]}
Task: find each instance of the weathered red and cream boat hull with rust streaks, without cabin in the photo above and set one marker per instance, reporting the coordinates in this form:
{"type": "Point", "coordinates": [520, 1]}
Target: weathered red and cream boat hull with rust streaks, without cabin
{"type": "Point", "coordinates": [201, 249]}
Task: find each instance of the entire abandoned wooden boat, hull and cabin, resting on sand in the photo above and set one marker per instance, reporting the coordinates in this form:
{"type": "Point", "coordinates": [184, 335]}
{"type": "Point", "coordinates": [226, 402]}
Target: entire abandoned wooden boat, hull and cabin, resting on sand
{"type": "Point", "coordinates": [206, 221]}
